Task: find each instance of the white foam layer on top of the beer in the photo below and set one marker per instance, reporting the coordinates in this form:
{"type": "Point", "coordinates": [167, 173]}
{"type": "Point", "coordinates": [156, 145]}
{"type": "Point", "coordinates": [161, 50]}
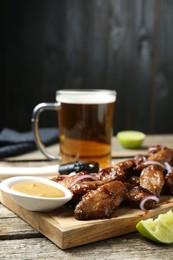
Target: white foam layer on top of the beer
{"type": "Point", "coordinates": [86, 97]}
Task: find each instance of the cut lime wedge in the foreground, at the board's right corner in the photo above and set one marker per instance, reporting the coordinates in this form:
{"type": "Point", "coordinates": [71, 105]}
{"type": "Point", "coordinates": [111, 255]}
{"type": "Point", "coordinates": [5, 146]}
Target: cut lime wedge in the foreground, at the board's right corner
{"type": "Point", "coordinates": [159, 230]}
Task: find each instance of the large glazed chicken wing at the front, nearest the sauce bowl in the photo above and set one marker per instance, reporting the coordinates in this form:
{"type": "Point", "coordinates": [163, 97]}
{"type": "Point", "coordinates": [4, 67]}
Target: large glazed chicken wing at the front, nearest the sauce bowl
{"type": "Point", "coordinates": [102, 202]}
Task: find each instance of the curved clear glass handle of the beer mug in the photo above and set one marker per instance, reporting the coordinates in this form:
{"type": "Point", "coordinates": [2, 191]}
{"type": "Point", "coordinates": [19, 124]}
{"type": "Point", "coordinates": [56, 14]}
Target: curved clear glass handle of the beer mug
{"type": "Point", "coordinates": [35, 127]}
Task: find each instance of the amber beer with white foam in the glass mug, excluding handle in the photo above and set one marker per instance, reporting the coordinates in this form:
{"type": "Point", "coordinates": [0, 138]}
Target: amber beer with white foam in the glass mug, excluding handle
{"type": "Point", "coordinates": [85, 122]}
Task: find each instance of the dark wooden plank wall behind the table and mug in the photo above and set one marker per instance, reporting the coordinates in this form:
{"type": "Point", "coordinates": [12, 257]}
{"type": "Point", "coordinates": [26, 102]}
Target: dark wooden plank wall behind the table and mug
{"type": "Point", "coordinates": [126, 45]}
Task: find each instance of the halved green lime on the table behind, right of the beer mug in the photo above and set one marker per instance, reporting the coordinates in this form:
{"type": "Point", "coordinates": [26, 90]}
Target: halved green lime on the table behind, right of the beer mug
{"type": "Point", "coordinates": [131, 139]}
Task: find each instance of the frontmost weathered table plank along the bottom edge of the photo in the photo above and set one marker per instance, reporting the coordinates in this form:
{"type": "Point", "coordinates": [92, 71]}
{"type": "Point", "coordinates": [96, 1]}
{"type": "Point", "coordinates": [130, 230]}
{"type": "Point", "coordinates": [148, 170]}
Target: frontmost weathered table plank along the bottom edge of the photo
{"type": "Point", "coordinates": [111, 249]}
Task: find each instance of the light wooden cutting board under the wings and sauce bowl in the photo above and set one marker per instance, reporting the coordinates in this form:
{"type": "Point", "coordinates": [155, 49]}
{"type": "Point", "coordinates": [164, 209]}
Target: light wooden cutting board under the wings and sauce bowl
{"type": "Point", "coordinates": [65, 231]}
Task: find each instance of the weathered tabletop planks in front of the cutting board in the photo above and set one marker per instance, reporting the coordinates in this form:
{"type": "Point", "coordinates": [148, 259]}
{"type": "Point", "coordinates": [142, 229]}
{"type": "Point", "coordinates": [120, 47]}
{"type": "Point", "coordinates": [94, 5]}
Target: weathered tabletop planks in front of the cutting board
{"type": "Point", "coordinates": [17, 241]}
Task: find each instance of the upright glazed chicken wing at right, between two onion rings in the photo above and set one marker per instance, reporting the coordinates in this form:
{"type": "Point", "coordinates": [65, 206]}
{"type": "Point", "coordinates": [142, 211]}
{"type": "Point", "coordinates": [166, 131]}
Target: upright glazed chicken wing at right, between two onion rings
{"type": "Point", "coordinates": [152, 179]}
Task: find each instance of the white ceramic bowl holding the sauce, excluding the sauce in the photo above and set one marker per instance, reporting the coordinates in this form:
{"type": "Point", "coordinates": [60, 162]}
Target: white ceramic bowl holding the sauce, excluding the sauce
{"type": "Point", "coordinates": [34, 203]}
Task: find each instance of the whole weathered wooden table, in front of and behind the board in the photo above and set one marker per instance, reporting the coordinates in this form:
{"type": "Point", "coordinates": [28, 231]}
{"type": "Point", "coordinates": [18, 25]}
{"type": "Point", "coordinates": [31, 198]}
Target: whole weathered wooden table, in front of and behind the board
{"type": "Point", "coordinates": [20, 241]}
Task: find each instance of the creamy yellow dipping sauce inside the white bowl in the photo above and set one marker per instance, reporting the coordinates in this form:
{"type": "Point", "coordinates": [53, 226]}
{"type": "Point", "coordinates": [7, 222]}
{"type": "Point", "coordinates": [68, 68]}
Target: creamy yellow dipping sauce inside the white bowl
{"type": "Point", "coordinates": [38, 189]}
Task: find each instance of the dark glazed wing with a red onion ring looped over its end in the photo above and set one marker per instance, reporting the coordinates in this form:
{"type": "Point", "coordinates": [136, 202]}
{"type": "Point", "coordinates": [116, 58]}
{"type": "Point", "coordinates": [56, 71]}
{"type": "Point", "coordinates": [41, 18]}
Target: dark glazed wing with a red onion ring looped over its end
{"type": "Point", "coordinates": [136, 194]}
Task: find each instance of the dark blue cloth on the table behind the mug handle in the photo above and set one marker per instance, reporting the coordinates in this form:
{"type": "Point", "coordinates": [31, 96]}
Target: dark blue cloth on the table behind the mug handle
{"type": "Point", "coordinates": [13, 143]}
